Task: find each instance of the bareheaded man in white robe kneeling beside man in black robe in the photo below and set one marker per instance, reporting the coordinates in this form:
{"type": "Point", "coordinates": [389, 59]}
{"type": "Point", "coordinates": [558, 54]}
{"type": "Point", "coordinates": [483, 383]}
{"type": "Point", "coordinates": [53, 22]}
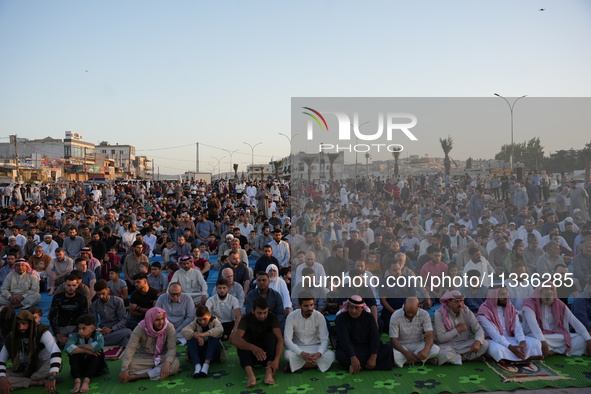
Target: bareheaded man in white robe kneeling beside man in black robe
{"type": "Point", "coordinates": [306, 338]}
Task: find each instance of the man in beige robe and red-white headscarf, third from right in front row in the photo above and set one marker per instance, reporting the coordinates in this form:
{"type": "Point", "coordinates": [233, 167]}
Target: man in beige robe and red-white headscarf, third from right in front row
{"type": "Point", "coordinates": [454, 325]}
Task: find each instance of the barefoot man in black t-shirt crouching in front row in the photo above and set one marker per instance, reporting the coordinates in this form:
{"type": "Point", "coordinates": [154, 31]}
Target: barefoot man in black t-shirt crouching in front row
{"type": "Point", "coordinates": [258, 339]}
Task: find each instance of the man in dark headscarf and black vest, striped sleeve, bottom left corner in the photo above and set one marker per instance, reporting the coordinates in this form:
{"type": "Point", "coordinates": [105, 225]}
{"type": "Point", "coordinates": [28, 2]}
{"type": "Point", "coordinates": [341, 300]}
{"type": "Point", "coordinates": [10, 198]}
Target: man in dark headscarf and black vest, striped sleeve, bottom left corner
{"type": "Point", "coordinates": [36, 358]}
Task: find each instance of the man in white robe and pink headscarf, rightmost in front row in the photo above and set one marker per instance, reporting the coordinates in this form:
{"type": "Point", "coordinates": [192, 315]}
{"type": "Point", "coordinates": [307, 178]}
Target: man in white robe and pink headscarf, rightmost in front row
{"type": "Point", "coordinates": [548, 320]}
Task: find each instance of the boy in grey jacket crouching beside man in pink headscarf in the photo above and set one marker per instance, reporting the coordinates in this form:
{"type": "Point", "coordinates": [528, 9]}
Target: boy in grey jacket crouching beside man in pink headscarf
{"type": "Point", "coordinates": [203, 341]}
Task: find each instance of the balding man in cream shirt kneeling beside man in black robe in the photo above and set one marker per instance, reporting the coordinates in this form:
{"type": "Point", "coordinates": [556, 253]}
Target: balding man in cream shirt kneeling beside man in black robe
{"type": "Point", "coordinates": [411, 335]}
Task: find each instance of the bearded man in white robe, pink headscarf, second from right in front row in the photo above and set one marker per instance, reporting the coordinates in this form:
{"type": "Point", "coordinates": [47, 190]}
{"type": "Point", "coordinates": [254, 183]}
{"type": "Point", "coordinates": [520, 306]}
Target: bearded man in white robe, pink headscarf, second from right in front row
{"type": "Point", "coordinates": [501, 324]}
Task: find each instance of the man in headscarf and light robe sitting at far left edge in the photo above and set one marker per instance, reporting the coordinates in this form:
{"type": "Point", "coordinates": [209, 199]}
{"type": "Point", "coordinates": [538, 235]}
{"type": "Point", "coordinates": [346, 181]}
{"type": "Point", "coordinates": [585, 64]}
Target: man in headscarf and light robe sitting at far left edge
{"type": "Point", "coordinates": [20, 289]}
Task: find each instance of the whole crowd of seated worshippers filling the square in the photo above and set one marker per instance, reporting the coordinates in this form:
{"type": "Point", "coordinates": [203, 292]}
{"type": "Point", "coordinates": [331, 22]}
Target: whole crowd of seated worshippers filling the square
{"type": "Point", "coordinates": [128, 266]}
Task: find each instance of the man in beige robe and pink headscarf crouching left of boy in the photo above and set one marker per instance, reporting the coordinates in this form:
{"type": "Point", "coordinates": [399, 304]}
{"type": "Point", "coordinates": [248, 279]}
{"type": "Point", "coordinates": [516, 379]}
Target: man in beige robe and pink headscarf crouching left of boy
{"type": "Point", "coordinates": [151, 350]}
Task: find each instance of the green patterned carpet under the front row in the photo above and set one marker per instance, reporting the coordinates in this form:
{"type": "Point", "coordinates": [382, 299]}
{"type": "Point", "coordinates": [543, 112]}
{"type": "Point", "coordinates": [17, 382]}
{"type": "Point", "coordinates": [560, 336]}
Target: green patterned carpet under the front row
{"type": "Point", "coordinates": [229, 378]}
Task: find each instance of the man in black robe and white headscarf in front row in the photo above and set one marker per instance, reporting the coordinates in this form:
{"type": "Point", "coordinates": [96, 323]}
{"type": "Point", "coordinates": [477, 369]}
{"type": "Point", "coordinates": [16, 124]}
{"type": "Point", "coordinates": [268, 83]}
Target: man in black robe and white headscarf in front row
{"type": "Point", "coordinates": [358, 339]}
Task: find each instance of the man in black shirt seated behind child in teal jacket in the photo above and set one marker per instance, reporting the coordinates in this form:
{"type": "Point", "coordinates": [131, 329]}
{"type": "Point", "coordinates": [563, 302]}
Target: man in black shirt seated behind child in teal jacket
{"type": "Point", "coordinates": [65, 310]}
